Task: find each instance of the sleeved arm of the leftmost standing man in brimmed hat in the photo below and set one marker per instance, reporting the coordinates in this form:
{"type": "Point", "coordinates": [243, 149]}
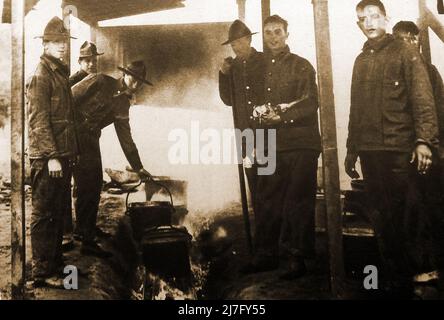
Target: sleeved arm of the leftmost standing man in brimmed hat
{"type": "Point", "coordinates": [39, 103]}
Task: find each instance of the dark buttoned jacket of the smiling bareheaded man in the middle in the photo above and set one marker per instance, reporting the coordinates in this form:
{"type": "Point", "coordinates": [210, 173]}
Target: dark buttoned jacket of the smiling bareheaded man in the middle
{"type": "Point", "coordinates": [289, 78]}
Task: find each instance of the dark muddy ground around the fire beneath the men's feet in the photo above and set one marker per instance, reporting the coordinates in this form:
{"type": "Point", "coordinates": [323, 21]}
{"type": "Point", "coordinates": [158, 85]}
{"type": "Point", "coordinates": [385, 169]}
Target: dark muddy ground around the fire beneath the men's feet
{"type": "Point", "coordinates": [218, 252]}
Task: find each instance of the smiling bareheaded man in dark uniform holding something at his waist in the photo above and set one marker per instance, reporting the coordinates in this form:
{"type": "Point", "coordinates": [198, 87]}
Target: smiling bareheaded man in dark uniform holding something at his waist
{"type": "Point", "coordinates": [286, 199]}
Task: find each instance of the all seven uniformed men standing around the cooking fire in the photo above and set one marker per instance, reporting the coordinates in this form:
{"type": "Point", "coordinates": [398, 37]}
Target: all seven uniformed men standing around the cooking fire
{"type": "Point", "coordinates": [394, 129]}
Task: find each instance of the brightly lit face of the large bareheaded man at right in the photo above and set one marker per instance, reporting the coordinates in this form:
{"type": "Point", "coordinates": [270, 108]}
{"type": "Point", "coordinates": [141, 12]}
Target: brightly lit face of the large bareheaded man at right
{"type": "Point", "coordinates": [372, 22]}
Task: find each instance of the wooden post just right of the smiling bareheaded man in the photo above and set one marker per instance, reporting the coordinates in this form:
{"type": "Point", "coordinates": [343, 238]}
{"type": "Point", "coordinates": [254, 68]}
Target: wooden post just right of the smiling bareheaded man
{"type": "Point", "coordinates": [329, 144]}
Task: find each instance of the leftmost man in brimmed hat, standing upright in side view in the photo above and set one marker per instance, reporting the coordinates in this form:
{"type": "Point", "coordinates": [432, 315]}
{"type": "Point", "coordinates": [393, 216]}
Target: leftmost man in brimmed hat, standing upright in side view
{"type": "Point", "coordinates": [53, 146]}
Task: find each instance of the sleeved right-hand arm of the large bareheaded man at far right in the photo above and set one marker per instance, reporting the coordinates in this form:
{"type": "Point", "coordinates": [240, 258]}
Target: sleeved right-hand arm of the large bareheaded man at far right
{"type": "Point", "coordinates": [421, 97]}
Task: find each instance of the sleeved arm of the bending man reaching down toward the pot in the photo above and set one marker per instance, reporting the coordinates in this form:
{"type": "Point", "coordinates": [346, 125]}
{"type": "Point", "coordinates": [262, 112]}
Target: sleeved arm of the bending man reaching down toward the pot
{"type": "Point", "coordinates": [123, 131]}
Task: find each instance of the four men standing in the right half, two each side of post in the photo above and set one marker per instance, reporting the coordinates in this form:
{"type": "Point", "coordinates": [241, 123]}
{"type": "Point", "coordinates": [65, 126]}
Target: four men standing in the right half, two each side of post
{"type": "Point", "coordinates": [395, 125]}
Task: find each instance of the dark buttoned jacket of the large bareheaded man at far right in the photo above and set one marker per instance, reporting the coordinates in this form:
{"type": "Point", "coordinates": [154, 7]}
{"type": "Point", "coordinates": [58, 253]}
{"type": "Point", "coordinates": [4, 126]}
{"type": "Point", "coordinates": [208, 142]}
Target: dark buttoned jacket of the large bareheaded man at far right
{"type": "Point", "coordinates": [392, 103]}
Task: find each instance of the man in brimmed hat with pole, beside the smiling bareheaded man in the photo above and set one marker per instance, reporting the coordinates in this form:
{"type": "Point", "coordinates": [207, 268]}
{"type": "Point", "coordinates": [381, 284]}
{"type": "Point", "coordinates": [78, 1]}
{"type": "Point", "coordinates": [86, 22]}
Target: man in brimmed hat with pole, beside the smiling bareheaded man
{"type": "Point", "coordinates": [242, 79]}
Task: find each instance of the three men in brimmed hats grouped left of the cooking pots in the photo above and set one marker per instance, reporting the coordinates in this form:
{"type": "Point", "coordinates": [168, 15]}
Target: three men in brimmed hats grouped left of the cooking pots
{"type": "Point", "coordinates": [66, 116]}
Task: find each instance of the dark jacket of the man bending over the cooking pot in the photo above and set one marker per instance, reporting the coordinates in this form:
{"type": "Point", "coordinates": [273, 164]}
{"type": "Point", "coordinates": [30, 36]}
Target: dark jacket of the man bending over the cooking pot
{"type": "Point", "coordinates": [101, 100]}
